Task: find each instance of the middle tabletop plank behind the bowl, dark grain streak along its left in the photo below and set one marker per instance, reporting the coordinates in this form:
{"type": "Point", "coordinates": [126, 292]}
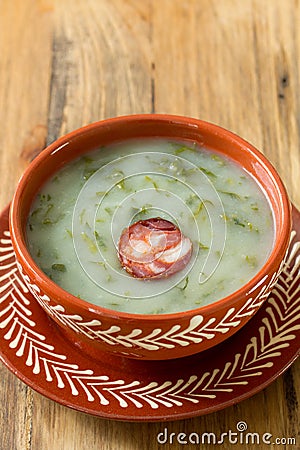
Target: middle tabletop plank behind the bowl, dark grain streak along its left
{"type": "Point", "coordinates": [101, 62]}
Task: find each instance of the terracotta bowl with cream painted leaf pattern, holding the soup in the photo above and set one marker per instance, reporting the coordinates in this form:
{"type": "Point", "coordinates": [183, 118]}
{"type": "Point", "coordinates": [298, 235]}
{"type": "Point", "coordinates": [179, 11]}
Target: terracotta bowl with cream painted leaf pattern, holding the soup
{"type": "Point", "coordinates": [94, 329]}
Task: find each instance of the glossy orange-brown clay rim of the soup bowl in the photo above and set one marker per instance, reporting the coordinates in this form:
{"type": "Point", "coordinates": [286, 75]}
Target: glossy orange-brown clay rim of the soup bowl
{"type": "Point", "coordinates": [282, 226]}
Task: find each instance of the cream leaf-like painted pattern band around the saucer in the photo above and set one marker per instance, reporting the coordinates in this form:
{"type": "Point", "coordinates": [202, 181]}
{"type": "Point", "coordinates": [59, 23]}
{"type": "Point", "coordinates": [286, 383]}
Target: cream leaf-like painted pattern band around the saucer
{"type": "Point", "coordinates": [277, 330]}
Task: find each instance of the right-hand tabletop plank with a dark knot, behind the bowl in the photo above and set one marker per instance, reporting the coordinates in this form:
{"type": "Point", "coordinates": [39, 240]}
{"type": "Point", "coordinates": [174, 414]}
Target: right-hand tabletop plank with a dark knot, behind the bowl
{"type": "Point", "coordinates": [235, 64]}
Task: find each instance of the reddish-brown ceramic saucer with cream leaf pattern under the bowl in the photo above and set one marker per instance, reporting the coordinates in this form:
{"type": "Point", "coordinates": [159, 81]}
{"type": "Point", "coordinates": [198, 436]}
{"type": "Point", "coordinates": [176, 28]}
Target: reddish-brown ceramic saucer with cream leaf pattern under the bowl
{"type": "Point", "coordinates": [33, 348]}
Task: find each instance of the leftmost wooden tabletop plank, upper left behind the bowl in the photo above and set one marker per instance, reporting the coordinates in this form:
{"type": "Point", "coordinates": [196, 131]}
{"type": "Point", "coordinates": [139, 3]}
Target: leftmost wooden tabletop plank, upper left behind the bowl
{"type": "Point", "coordinates": [25, 43]}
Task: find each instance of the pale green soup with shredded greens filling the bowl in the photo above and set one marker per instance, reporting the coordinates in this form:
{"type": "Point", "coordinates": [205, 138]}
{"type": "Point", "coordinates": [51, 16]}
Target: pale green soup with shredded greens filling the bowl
{"type": "Point", "coordinates": [77, 218]}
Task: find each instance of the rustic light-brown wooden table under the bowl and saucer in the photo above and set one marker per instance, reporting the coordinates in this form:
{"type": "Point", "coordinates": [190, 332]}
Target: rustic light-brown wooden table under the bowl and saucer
{"type": "Point", "coordinates": [67, 63]}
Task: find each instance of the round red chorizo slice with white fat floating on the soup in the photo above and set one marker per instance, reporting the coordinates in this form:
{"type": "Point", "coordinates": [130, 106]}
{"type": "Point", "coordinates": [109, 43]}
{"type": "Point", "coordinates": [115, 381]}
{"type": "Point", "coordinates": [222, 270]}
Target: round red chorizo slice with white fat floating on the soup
{"type": "Point", "coordinates": [153, 248]}
